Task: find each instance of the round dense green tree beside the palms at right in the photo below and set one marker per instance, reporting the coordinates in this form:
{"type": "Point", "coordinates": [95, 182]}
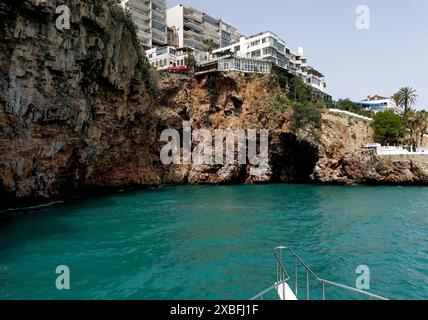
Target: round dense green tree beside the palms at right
{"type": "Point", "coordinates": [389, 127]}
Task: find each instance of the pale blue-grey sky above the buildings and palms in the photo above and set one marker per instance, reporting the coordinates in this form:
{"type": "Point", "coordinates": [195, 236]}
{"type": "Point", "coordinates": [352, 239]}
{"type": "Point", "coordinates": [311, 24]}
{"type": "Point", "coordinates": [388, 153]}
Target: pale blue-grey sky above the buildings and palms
{"type": "Point", "coordinates": [392, 54]}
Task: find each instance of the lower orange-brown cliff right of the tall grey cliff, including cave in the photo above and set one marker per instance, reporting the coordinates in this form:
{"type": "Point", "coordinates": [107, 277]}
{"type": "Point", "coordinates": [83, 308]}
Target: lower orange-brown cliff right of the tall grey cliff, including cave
{"type": "Point", "coordinates": [233, 100]}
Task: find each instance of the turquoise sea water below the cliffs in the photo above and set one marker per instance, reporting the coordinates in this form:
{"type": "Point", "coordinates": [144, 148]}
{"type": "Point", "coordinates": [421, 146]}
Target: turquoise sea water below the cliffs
{"type": "Point", "coordinates": [216, 242]}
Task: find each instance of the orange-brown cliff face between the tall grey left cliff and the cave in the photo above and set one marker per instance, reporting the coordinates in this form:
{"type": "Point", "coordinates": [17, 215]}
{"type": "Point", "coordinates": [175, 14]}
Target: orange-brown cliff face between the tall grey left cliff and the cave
{"type": "Point", "coordinates": [220, 101]}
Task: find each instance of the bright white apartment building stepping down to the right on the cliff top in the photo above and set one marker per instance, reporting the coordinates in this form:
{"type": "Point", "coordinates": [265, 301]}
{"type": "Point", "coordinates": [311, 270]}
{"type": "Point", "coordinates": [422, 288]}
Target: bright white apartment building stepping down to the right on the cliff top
{"type": "Point", "coordinates": [268, 46]}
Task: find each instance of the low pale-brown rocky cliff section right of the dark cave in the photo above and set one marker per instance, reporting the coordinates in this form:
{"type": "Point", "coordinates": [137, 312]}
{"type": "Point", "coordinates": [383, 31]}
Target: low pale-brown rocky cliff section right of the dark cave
{"type": "Point", "coordinates": [342, 160]}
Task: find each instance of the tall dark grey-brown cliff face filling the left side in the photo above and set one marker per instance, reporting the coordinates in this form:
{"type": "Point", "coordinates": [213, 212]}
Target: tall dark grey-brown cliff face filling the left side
{"type": "Point", "coordinates": [74, 104]}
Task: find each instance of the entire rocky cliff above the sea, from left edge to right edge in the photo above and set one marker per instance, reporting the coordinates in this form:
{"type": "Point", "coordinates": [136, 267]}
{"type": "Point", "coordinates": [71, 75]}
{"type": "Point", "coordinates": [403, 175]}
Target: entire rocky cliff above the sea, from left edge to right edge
{"type": "Point", "coordinates": [81, 112]}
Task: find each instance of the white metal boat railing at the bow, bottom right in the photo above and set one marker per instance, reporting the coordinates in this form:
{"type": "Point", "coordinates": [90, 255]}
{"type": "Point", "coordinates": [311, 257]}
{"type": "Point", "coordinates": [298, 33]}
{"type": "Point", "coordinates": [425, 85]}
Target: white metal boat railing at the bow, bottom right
{"type": "Point", "coordinates": [283, 277]}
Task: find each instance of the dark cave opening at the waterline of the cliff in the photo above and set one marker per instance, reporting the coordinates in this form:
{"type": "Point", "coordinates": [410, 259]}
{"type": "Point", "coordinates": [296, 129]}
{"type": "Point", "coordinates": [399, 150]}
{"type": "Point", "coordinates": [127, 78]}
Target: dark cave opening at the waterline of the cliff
{"type": "Point", "coordinates": [294, 160]}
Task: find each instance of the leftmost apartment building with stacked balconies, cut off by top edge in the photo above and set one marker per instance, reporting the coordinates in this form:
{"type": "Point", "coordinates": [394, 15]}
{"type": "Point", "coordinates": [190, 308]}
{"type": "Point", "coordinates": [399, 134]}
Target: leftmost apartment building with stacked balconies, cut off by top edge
{"type": "Point", "coordinates": [150, 18]}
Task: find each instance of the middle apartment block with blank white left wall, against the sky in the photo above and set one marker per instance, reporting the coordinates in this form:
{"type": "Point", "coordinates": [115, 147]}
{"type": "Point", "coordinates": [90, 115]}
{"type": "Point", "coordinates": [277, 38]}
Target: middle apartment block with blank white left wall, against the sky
{"type": "Point", "coordinates": [195, 26]}
